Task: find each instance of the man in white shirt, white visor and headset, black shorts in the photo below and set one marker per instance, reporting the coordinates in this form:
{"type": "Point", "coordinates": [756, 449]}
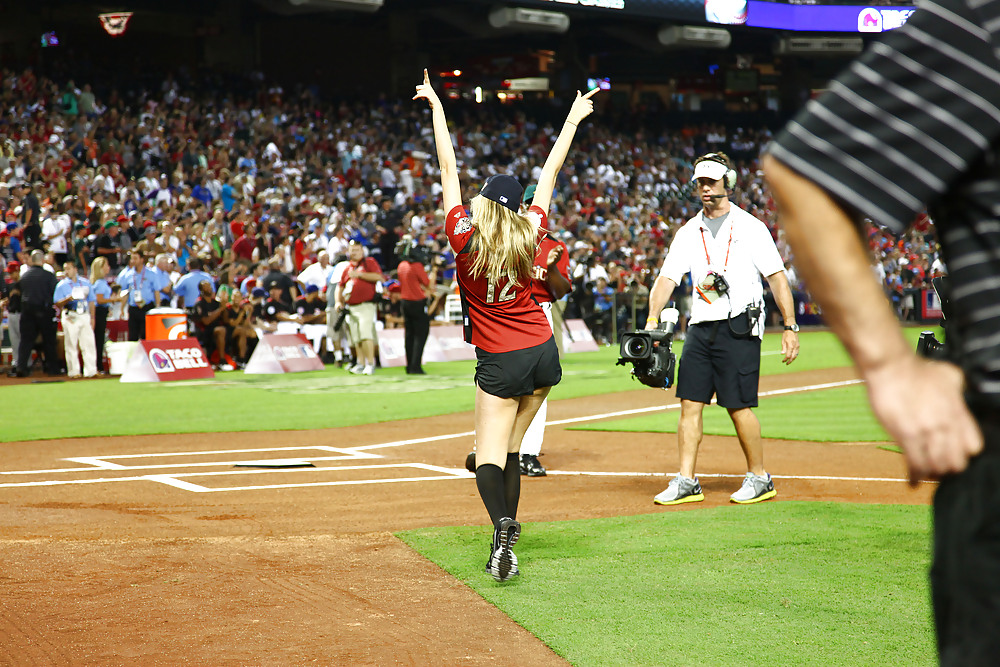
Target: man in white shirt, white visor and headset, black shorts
{"type": "Point", "coordinates": [726, 250]}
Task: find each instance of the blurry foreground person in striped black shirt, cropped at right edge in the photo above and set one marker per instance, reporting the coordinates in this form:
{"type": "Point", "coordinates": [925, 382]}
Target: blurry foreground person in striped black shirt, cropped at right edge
{"type": "Point", "coordinates": [867, 149]}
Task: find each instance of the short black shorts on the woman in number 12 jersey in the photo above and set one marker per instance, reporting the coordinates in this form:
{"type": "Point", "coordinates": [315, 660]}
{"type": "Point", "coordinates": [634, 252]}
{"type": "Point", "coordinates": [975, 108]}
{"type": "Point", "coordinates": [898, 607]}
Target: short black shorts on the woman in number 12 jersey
{"type": "Point", "coordinates": [519, 372]}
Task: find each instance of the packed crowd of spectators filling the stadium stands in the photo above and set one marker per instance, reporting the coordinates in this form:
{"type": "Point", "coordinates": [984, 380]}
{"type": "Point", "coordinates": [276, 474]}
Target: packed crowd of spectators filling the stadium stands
{"type": "Point", "coordinates": [239, 201]}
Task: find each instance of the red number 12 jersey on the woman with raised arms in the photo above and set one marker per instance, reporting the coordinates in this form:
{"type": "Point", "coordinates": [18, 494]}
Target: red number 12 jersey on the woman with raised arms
{"type": "Point", "coordinates": [499, 317]}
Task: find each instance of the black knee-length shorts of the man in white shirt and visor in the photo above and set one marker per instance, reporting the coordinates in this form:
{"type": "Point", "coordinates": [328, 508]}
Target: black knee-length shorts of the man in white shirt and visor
{"type": "Point", "coordinates": [717, 362]}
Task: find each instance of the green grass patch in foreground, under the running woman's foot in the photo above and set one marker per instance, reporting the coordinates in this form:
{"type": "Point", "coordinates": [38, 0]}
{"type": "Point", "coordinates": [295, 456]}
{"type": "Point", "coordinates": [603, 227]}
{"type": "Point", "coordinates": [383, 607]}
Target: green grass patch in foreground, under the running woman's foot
{"type": "Point", "coordinates": [777, 584]}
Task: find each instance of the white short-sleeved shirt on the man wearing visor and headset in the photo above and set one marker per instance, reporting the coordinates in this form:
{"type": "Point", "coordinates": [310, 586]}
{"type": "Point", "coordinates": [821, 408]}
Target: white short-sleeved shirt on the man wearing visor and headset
{"type": "Point", "coordinates": [742, 251]}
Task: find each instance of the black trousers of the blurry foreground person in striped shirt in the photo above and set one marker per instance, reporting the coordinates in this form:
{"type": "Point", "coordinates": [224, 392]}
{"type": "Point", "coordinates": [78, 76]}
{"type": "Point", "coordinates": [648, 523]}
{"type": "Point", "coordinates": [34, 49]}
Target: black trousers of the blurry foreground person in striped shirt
{"type": "Point", "coordinates": [965, 575]}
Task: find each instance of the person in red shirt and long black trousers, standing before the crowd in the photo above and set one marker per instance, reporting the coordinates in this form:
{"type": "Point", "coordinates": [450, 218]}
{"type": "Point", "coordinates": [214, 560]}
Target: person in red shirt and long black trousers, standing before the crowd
{"type": "Point", "coordinates": [415, 288]}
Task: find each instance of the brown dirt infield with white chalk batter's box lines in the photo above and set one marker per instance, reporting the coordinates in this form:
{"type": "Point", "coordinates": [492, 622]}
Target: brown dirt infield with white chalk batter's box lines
{"type": "Point", "coordinates": [157, 550]}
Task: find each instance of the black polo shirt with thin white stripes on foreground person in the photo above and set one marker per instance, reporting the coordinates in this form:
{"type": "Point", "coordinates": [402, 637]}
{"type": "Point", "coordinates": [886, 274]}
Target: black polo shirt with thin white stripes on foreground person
{"type": "Point", "coordinates": [914, 122]}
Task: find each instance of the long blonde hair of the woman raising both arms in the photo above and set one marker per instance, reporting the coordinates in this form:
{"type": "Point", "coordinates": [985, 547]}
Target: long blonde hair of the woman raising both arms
{"type": "Point", "coordinates": [504, 242]}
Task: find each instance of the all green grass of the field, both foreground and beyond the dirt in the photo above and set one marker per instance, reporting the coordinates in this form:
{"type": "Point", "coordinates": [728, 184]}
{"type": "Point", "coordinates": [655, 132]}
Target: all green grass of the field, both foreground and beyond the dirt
{"type": "Point", "coordinates": [782, 583]}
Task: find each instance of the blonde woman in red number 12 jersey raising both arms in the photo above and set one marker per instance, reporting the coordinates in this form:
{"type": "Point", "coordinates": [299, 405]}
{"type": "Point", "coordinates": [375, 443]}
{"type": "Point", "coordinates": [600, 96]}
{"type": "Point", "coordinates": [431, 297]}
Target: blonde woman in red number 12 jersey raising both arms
{"type": "Point", "coordinates": [518, 361]}
